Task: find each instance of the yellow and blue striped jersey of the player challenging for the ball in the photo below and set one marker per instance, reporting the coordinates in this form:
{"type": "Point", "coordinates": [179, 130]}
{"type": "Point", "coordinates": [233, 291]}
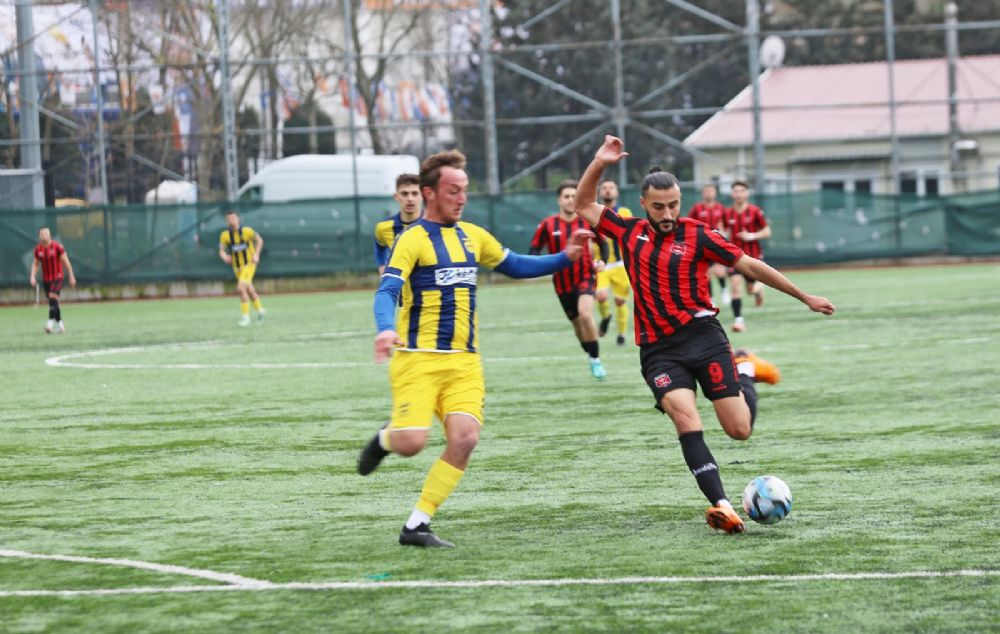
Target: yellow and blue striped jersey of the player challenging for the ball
{"type": "Point", "coordinates": [438, 265]}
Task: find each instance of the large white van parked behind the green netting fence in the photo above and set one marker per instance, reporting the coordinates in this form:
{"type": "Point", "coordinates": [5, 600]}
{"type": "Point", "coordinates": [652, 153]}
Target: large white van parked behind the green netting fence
{"type": "Point", "coordinates": [327, 176]}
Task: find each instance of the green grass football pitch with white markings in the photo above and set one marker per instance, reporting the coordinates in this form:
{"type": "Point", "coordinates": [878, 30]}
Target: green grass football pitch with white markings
{"type": "Point", "coordinates": [164, 434]}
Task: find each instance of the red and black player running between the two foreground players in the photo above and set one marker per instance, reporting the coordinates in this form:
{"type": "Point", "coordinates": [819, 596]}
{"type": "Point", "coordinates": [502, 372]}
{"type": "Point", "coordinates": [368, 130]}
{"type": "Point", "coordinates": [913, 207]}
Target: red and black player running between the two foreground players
{"type": "Point", "coordinates": [575, 284]}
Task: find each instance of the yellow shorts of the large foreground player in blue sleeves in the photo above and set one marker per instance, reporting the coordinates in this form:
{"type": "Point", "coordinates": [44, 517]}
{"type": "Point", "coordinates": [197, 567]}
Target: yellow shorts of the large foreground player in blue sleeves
{"type": "Point", "coordinates": [428, 383]}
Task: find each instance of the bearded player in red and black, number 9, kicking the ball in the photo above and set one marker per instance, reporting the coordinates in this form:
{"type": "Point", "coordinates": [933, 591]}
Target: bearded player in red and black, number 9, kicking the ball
{"type": "Point", "coordinates": [681, 342]}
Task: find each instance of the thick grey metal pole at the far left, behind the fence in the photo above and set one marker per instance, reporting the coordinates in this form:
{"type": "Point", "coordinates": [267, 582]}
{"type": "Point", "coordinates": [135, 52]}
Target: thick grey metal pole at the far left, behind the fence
{"type": "Point", "coordinates": [31, 151]}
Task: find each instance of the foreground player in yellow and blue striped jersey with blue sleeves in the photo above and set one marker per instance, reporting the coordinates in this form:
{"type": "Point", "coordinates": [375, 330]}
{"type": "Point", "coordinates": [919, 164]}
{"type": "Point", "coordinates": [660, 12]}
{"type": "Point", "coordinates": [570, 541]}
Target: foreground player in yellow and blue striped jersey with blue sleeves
{"type": "Point", "coordinates": [436, 369]}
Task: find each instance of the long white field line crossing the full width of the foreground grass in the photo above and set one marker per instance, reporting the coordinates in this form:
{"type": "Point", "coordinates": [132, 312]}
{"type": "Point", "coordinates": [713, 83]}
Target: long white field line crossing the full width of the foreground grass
{"type": "Point", "coordinates": [510, 583]}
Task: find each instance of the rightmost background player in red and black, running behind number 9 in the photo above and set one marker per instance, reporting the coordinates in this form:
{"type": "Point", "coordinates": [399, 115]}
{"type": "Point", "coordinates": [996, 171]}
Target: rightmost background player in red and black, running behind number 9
{"type": "Point", "coordinates": [747, 227]}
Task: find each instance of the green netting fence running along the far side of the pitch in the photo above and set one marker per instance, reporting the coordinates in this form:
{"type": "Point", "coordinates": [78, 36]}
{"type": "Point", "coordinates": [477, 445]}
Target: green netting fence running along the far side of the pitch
{"type": "Point", "coordinates": [156, 243]}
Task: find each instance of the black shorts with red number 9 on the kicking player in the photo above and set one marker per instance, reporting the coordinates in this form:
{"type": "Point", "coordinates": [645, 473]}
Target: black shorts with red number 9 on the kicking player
{"type": "Point", "coordinates": [698, 352]}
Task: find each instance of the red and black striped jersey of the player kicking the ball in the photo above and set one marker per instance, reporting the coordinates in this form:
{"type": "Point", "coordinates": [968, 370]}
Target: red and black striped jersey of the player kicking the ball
{"type": "Point", "coordinates": [669, 274]}
